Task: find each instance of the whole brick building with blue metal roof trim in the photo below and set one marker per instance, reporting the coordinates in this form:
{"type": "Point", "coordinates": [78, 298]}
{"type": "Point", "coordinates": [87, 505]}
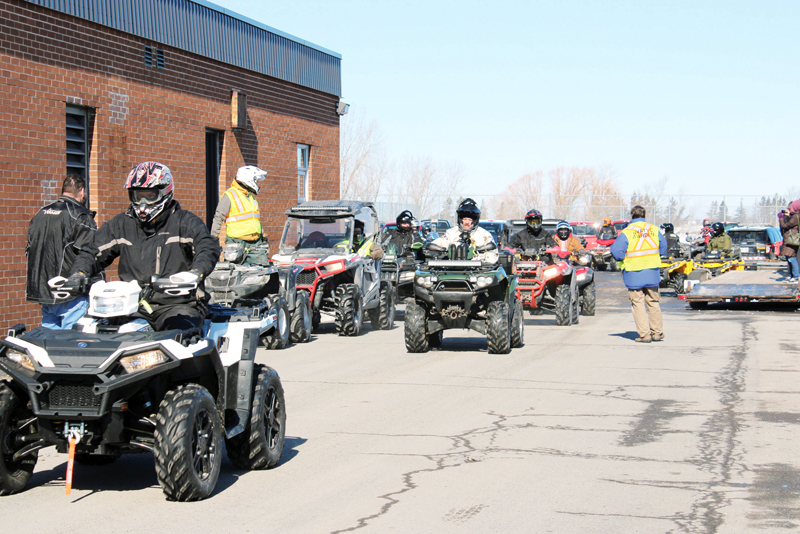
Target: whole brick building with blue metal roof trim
{"type": "Point", "coordinates": [96, 86]}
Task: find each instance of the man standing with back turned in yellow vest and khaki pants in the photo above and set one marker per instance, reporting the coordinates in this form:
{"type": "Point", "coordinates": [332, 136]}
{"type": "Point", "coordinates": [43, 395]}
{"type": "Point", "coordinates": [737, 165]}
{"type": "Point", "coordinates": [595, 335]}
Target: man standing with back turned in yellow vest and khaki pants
{"type": "Point", "coordinates": [641, 245]}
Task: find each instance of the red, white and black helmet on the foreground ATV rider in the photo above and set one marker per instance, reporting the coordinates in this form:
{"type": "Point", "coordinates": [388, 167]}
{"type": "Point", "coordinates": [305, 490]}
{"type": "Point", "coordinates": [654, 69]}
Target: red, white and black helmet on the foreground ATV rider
{"type": "Point", "coordinates": [150, 189]}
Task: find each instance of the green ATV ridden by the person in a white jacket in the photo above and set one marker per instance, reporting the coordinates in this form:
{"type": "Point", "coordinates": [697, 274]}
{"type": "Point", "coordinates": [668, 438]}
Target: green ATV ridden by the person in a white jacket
{"type": "Point", "coordinates": [461, 292]}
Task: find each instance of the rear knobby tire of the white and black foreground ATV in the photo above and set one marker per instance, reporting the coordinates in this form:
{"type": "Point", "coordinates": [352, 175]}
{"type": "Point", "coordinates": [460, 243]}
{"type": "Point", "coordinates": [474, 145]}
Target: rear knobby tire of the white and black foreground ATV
{"type": "Point", "coordinates": [261, 444]}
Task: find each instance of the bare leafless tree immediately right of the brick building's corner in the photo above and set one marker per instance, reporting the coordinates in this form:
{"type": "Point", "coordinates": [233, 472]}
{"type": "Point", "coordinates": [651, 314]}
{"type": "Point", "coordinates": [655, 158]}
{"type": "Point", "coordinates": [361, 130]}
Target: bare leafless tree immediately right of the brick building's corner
{"type": "Point", "coordinates": [363, 163]}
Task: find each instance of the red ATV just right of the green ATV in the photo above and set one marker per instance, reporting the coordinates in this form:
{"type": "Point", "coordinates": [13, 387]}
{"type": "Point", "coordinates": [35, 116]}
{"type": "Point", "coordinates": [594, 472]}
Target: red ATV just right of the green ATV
{"type": "Point", "coordinates": [549, 281]}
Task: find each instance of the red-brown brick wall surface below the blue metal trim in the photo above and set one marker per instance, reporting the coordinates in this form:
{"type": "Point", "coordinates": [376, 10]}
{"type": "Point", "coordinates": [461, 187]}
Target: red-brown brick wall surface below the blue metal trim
{"type": "Point", "coordinates": [49, 60]}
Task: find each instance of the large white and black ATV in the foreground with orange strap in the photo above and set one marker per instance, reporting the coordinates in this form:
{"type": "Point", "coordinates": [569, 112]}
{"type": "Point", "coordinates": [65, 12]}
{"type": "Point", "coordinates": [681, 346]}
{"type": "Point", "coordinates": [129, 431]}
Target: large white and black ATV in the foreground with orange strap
{"type": "Point", "coordinates": [113, 386]}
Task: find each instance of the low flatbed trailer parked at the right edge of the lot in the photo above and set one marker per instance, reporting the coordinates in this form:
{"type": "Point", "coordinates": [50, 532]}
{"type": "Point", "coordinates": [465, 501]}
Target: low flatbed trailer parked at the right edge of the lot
{"type": "Point", "coordinates": [744, 286]}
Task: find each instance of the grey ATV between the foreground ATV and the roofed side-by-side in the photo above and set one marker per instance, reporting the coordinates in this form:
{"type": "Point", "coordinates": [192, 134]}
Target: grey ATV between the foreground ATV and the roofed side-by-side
{"type": "Point", "coordinates": [236, 284]}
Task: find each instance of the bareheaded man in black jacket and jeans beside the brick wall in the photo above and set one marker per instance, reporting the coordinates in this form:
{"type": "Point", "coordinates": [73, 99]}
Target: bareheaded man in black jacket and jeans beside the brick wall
{"type": "Point", "coordinates": [56, 234]}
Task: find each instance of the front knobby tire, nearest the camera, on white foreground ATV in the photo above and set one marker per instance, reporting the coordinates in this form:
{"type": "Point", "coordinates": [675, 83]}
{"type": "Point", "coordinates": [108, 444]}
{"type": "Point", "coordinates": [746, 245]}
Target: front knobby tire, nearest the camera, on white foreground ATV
{"type": "Point", "coordinates": [188, 443]}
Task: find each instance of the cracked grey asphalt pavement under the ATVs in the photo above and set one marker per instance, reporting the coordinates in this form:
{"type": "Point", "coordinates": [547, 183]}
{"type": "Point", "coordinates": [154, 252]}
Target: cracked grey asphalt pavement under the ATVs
{"type": "Point", "coordinates": [581, 430]}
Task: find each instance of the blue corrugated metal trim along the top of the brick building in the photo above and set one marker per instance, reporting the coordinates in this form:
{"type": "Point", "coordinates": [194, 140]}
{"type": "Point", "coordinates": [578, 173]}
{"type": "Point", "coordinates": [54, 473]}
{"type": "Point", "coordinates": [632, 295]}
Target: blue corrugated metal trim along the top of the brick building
{"type": "Point", "coordinates": [190, 24]}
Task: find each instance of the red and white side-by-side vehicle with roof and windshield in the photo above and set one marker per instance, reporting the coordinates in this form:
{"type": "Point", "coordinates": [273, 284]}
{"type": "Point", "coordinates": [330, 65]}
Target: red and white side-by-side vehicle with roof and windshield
{"type": "Point", "coordinates": [337, 281]}
